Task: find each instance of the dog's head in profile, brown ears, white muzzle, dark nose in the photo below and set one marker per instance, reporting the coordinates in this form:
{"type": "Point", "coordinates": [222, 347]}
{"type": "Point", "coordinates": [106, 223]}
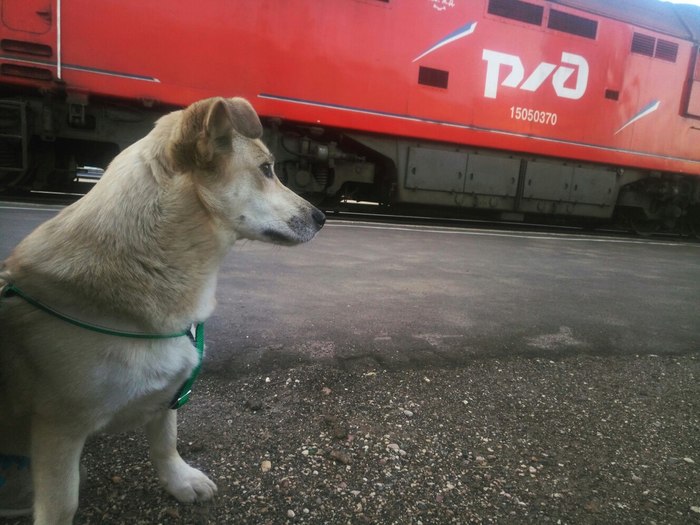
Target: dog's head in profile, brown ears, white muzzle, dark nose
{"type": "Point", "coordinates": [218, 143]}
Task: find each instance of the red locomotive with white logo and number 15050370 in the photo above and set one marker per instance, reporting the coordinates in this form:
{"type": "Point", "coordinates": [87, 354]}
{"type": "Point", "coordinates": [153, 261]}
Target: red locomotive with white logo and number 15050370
{"type": "Point", "coordinates": [561, 110]}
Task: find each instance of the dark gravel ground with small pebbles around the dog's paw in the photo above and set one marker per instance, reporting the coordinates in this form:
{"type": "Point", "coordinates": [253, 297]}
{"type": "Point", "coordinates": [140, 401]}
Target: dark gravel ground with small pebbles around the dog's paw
{"type": "Point", "coordinates": [579, 439]}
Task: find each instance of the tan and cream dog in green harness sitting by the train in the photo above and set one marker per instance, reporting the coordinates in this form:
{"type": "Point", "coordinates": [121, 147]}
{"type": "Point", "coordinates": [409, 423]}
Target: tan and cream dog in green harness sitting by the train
{"type": "Point", "coordinates": [138, 254]}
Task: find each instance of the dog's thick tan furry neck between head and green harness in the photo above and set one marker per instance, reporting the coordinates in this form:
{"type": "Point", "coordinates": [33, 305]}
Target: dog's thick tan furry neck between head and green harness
{"type": "Point", "coordinates": [150, 248]}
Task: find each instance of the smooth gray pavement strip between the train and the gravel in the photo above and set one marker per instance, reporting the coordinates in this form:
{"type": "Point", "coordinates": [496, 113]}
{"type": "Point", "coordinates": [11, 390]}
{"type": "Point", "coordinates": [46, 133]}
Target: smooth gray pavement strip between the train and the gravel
{"type": "Point", "coordinates": [398, 295]}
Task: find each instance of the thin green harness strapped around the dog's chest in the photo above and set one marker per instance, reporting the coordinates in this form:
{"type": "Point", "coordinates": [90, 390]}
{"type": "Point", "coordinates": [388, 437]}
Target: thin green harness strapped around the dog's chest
{"type": "Point", "coordinates": [183, 394]}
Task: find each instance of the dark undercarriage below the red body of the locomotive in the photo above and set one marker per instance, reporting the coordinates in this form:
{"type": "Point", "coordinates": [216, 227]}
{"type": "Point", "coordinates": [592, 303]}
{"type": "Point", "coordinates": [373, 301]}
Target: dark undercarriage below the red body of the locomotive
{"type": "Point", "coordinates": [49, 144]}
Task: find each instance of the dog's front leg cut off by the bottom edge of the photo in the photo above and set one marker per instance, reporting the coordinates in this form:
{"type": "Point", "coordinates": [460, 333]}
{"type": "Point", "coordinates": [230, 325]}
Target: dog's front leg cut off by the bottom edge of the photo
{"type": "Point", "coordinates": [55, 457]}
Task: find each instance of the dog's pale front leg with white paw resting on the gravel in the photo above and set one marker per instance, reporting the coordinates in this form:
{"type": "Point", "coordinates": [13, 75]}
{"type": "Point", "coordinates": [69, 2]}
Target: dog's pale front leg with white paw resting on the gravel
{"type": "Point", "coordinates": [187, 484]}
